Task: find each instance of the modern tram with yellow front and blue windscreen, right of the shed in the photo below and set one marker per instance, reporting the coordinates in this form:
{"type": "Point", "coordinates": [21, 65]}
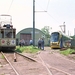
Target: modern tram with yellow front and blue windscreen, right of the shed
{"type": "Point", "coordinates": [59, 40]}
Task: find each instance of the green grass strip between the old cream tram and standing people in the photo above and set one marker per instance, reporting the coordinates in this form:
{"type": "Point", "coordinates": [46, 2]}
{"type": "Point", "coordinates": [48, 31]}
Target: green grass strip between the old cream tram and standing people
{"type": "Point", "coordinates": [27, 49]}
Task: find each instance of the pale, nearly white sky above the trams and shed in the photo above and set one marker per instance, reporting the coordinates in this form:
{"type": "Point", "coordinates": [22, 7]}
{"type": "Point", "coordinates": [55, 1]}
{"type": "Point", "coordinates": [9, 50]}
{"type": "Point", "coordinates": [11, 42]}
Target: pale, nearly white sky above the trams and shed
{"type": "Point", "coordinates": [57, 12]}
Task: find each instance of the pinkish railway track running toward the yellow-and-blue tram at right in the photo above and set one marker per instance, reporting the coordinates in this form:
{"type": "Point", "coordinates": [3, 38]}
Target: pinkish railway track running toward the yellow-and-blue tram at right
{"type": "Point", "coordinates": [52, 61]}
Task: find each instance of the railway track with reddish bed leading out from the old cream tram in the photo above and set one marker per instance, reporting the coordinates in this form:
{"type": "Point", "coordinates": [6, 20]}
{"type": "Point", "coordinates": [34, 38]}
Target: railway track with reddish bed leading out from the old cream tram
{"type": "Point", "coordinates": [24, 63]}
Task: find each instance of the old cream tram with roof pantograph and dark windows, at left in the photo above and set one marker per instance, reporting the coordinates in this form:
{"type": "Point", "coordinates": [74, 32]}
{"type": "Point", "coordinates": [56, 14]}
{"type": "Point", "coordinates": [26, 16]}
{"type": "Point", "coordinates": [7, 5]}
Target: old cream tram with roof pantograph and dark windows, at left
{"type": "Point", "coordinates": [7, 33]}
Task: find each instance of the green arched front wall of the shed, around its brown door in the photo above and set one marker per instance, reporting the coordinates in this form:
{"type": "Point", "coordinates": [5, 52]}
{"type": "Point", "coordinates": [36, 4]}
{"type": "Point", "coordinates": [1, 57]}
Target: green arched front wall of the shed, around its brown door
{"type": "Point", "coordinates": [38, 34]}
